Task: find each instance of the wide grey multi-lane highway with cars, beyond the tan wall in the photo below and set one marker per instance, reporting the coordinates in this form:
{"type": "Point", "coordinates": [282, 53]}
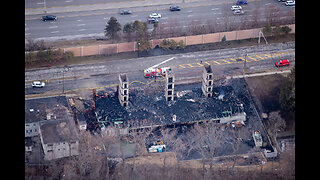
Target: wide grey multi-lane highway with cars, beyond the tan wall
{"type": "Point", "coordinates": [79, 19]}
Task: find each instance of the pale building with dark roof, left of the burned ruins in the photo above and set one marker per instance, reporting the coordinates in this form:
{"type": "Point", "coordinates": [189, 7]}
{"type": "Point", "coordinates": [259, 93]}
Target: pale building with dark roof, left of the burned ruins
{"type": "Point", "coordinates": [51, 119]}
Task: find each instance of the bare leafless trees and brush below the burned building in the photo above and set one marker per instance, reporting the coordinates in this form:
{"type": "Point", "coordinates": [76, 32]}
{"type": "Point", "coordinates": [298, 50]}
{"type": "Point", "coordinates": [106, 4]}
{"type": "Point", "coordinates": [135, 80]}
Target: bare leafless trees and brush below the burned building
{"type": "Point", "coordinates": [95, 160]}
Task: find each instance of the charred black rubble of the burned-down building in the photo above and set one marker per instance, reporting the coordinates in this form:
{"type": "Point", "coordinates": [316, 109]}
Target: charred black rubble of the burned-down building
{"type": "Point", "coordinates": [151, 109]}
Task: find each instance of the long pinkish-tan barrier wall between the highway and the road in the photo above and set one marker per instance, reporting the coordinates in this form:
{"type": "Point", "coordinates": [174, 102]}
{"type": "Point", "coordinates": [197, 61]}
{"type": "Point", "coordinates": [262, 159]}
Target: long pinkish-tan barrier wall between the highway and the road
{"type": "Point", "coordinates": [107, 49]}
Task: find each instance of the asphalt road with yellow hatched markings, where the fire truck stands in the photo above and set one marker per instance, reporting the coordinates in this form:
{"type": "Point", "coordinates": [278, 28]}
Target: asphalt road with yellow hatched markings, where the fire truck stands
{"type": "Point", "coordinates": [226, 62]}
